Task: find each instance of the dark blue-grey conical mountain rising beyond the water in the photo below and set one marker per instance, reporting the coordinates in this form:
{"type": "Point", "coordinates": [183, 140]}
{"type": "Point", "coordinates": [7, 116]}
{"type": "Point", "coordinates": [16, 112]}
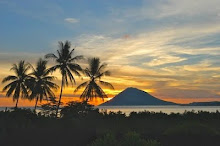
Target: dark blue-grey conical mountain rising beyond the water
{"type": "Point", "coordinates": [134, 96]}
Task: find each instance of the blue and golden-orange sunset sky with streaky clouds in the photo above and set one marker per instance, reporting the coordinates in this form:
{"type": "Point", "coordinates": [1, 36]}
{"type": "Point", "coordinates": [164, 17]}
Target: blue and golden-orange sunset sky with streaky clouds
{"type": "Point", "coordinates": [168, 48]}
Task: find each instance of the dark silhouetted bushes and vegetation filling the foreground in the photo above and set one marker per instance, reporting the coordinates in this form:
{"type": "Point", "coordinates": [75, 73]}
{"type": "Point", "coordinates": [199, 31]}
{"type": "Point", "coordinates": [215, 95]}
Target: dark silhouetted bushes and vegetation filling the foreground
{"type": "Point", "coordinates": [81, 124]}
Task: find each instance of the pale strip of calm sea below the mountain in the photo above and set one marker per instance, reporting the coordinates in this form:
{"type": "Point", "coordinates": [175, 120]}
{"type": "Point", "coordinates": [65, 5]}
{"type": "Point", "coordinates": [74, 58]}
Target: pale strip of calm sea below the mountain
{"type": "Point", "coordinates": [165, 109]}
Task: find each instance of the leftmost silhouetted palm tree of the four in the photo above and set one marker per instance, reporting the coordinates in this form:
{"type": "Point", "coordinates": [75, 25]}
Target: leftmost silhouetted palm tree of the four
{"type": "Point", "coordinates": [17, 87]}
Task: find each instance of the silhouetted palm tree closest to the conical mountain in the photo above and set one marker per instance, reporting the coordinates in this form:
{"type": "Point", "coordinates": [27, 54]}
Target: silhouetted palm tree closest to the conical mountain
{"type": "Point", "coordinates": [95, 72]}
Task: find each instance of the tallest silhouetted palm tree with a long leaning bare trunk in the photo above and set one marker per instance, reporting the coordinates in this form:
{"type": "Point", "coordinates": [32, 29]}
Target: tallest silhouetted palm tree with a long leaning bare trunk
{"type": "Point", "coordinates": [65, 63]}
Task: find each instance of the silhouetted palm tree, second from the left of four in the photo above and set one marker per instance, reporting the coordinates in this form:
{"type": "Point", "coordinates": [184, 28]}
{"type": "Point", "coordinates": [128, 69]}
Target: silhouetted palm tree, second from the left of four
{"type": "Point", "coordinates": [40, 83]}
